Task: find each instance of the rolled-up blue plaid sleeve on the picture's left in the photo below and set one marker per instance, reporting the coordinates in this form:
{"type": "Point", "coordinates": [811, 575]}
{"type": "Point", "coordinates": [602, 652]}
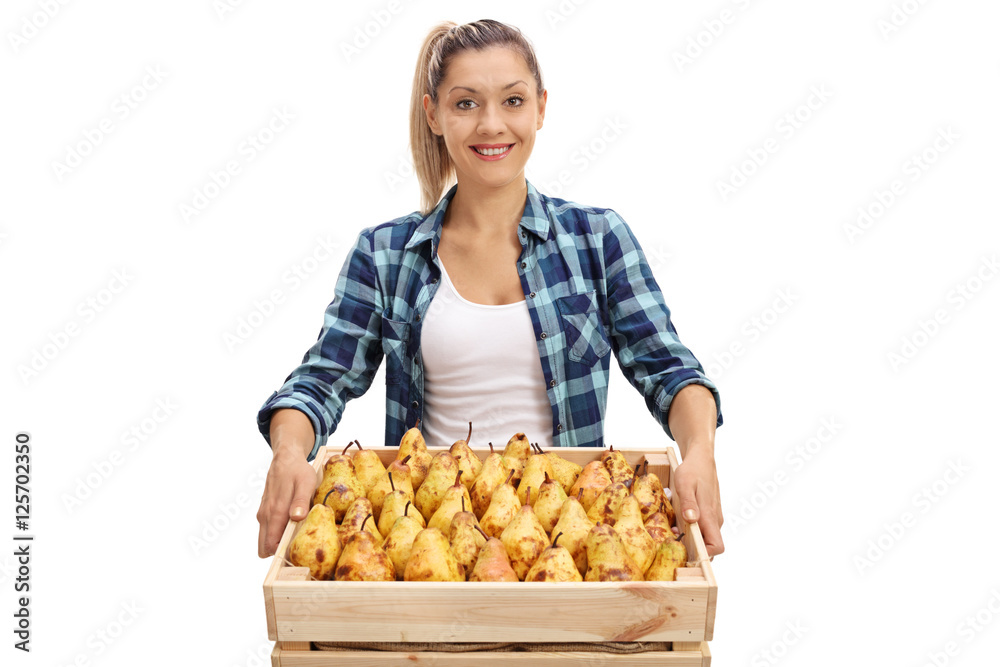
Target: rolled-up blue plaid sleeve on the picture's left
{"type": "Point", "coordinates": [342, 362]}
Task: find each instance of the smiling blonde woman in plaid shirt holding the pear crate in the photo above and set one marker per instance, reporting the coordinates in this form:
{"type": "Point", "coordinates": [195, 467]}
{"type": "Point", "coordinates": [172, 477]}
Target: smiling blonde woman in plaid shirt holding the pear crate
{"type": "Point", "coordinates": [464, 299]}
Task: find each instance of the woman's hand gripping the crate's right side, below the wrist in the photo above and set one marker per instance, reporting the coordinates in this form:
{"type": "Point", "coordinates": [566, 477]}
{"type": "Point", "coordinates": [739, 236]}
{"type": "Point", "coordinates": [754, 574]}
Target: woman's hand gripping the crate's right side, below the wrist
{"type": "Point", "coordinates": [698, 498]}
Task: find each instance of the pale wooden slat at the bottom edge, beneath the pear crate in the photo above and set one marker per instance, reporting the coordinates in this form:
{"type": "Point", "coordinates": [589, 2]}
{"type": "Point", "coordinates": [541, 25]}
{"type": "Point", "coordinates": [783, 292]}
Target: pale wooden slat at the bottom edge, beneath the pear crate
{"type": "Point", "coordinates": [689, 655]}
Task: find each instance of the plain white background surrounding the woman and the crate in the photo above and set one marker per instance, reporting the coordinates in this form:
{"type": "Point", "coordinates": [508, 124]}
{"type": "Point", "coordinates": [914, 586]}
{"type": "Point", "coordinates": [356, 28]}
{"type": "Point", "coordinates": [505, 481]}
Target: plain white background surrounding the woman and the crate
{"type": "Point", "coordinates": [842, 546]}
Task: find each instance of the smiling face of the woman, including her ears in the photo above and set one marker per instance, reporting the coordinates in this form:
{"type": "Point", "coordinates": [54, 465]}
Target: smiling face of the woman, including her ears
{"type": "Point", "coordinates": [488, 111]}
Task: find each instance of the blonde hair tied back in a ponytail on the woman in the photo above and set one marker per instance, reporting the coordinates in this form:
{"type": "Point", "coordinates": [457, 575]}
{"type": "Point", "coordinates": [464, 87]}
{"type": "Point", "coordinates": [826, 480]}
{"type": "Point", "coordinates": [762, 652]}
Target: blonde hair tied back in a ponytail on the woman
{"type": "Point", "coordinates": [431, 161]}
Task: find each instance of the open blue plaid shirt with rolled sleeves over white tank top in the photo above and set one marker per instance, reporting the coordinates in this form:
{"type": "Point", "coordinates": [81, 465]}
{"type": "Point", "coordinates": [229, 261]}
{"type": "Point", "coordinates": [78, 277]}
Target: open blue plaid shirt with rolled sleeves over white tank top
{"type": "Point", "coordinates": [589, 291]}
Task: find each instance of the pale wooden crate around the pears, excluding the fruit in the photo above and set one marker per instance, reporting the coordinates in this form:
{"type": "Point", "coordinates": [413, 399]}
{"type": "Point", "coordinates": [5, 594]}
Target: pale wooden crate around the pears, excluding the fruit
{"type": "Point", "coordinates": [682, 611]}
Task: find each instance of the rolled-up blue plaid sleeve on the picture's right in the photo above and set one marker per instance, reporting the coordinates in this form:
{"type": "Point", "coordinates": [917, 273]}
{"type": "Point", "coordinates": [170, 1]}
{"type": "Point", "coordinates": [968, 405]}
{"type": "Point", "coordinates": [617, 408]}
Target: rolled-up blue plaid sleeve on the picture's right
{"type": "Point", "coordinates": [645, 341]}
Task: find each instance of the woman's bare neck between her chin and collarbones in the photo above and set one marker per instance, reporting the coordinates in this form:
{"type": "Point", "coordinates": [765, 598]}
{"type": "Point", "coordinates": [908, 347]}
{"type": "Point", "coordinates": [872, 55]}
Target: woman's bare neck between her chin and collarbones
{"type": "Point", "coordinates": [479, 209]}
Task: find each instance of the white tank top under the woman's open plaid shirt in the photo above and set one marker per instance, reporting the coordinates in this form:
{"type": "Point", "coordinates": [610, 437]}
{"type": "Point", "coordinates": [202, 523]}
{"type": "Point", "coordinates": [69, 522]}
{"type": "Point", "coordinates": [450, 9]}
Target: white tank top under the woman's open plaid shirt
{"type": "Point", "coordinates": [481, 365]}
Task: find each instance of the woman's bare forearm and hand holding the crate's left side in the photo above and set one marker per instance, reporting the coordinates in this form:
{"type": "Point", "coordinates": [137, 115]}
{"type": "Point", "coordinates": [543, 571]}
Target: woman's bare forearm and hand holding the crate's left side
{"type": "Point", "coordinates": [291, 480]}
